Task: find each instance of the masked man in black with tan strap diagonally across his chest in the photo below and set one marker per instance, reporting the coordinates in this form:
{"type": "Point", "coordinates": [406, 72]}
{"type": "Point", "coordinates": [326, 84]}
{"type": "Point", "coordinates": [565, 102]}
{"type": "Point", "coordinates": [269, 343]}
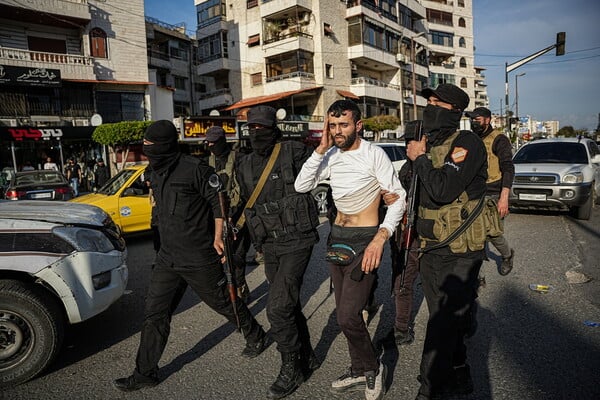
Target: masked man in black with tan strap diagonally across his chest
{"type": "Point", "coordinates": [282, 222]}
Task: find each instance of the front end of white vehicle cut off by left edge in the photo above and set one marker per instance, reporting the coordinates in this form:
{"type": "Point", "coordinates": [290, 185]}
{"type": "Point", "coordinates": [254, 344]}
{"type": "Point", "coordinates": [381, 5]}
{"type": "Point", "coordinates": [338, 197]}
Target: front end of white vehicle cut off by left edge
{"type": "Point", "coordinates": [60, 263]}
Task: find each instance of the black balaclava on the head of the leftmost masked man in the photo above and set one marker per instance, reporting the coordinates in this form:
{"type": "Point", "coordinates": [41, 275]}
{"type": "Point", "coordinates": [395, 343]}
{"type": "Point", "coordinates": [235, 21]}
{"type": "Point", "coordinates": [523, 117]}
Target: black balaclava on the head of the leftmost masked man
{"type": "Point", "coordinates": [164, 151]}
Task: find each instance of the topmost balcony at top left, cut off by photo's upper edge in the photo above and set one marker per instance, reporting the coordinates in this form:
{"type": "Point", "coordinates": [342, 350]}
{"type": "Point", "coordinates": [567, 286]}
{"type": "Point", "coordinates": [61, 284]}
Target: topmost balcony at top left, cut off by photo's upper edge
{"type": "Point", "coordinates": [76, 11]}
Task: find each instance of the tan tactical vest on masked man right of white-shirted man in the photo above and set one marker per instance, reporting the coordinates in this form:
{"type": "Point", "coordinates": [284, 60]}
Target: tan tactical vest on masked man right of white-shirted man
{"type": "Point", "coordinates": [449, 217]}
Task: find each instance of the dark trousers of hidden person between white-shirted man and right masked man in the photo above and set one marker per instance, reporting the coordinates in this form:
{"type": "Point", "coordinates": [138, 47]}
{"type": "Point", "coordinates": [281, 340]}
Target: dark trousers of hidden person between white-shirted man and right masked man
{"type": "Point", "coordinates": [403, 291]}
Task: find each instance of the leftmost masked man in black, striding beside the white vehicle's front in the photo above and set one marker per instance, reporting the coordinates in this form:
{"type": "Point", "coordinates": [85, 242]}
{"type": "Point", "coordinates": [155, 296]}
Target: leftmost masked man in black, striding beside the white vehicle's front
{"type": "Point", "coordinates": [191, 250]}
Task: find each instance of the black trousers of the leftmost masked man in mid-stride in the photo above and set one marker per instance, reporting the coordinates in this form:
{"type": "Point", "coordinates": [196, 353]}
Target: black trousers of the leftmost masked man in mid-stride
{"type": "Point", "coordinates": [209, 283]}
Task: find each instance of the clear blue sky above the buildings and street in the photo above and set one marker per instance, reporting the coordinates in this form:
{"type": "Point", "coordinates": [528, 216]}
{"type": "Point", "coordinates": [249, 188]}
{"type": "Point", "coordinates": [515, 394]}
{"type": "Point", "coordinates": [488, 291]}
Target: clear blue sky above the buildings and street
{"type": "Point", "coordinates": [563, 88]}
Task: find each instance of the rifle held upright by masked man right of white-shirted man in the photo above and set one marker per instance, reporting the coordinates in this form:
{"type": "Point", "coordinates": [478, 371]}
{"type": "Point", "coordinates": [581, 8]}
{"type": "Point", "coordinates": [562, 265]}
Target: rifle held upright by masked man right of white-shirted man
{"type": "Point", "coordinates": [413, 131]}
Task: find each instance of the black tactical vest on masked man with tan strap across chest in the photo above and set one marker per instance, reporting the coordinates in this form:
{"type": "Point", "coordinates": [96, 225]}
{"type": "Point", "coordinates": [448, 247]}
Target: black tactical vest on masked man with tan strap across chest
{"type": "Point", "coordinates": [286, 213]}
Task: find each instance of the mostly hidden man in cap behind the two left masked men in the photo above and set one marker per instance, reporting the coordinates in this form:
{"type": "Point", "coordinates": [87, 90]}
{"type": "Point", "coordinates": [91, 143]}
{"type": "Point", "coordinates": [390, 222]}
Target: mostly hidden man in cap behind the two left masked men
{"type": "Point", "coordinates": [222, 158]}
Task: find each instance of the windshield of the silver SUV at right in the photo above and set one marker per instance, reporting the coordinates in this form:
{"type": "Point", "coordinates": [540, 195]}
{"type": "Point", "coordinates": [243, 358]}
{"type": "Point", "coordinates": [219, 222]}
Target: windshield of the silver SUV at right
{"type": "Point", "coordinates": [552, 153]}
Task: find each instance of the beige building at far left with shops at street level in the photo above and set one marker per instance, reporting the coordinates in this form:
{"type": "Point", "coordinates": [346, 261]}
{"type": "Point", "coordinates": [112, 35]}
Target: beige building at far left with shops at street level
{"type": "Point", "coordinates": [66, 65]}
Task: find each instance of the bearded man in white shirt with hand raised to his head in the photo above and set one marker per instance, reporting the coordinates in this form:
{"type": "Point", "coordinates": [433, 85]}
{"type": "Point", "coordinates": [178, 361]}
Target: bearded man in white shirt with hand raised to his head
{"type": "Point", "coordinates": [359, 173]}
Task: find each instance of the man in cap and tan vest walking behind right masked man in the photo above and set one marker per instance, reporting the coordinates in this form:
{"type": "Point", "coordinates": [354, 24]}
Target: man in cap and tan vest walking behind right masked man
{"type": "Point", "coordinates": [501, 172]}
